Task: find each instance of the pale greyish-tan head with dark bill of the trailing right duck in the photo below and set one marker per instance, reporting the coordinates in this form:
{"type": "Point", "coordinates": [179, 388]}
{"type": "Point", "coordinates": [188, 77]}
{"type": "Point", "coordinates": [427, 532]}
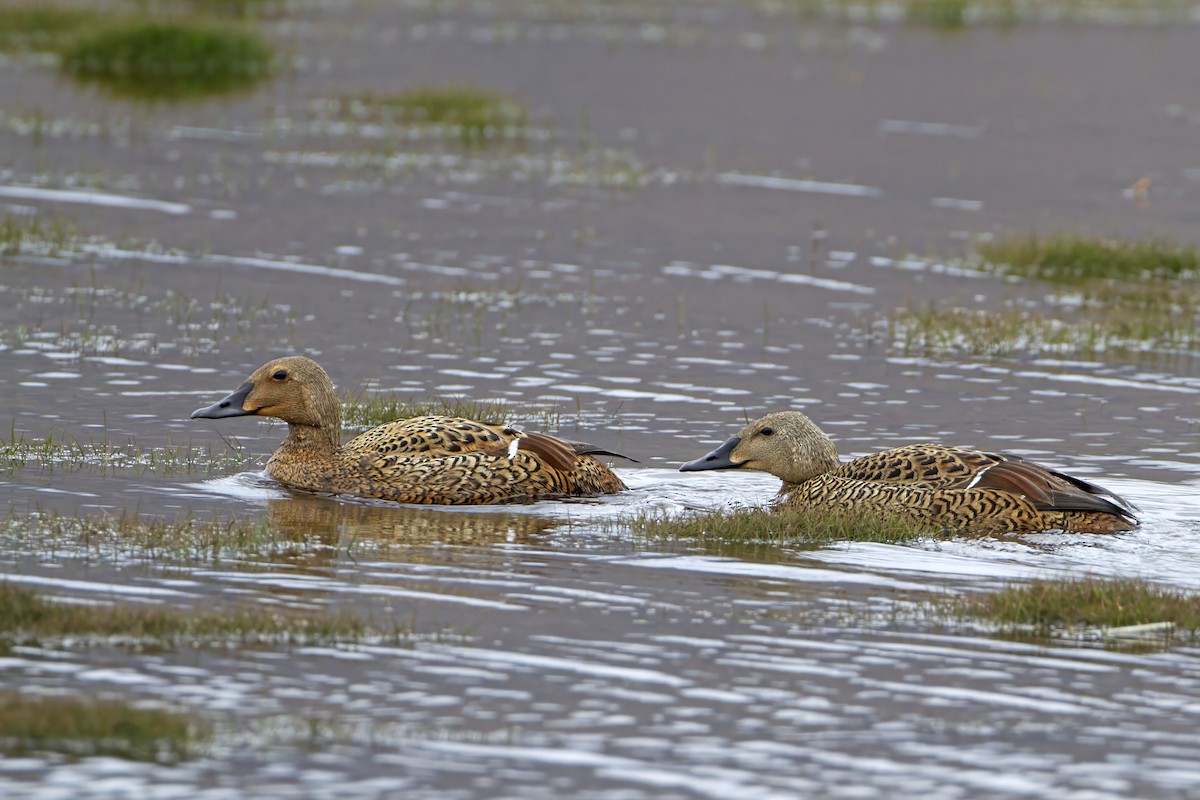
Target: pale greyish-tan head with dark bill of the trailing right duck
{"type": "Point", "coordinates": [787, 444]}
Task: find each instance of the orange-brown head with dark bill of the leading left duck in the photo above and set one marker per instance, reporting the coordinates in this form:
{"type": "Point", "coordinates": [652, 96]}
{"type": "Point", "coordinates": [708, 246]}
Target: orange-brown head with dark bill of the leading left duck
{"type": "Point", "coordinates": [293, 389]}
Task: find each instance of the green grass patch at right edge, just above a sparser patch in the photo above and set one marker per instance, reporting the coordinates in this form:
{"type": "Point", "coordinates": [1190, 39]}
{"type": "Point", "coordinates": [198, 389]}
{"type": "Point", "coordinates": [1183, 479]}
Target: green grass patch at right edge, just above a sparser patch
{"type": "Point", "coordinates": [1078, 261]}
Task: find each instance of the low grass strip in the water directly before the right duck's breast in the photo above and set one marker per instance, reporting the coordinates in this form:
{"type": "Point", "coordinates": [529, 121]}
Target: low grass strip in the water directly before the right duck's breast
{"type": "Point", "coordinates": [779, 526]}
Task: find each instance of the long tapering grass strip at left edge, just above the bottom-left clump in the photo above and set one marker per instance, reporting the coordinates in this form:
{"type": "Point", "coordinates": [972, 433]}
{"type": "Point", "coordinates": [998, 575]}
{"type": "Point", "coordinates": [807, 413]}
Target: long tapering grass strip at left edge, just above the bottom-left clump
{"type": "Point", "coordinates": [29, 618]}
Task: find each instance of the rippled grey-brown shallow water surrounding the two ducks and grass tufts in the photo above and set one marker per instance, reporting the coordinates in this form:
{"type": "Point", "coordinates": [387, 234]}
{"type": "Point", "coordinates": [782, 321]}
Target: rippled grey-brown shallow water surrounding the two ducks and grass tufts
{"type": "Point", "coordinates": [688, 266]}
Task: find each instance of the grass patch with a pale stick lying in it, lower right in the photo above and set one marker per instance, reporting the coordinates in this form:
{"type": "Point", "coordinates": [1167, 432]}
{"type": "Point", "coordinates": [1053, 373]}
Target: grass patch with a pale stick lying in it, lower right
{"type": "Point", "coordinates": [1090, 607]}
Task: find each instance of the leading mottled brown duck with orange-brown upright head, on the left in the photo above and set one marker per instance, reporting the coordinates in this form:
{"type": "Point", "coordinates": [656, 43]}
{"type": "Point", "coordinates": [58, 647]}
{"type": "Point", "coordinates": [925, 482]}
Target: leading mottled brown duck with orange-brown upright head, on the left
{"type": "Point", "coordinates": [423, 460]}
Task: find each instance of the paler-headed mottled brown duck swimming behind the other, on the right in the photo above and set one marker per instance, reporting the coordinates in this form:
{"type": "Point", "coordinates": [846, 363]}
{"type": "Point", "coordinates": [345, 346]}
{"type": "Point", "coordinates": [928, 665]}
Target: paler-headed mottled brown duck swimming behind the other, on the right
{"type": "Point", "coordinates": [957, 490]}
